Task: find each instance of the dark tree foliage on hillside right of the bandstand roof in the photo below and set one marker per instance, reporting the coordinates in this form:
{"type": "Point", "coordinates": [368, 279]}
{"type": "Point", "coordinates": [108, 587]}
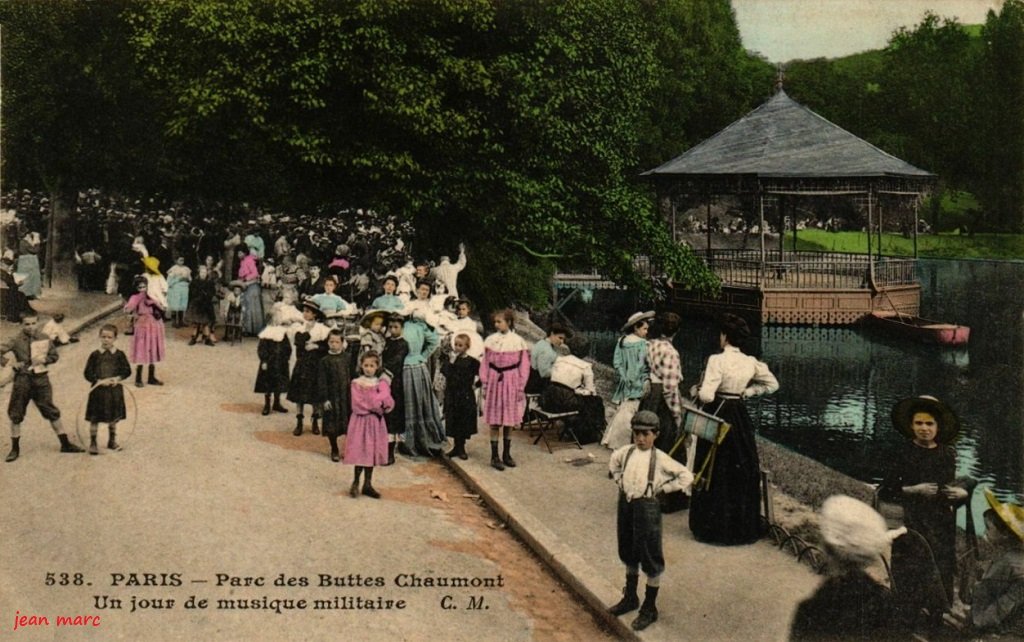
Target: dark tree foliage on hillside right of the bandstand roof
{"type": "Point", "coordinates": [944, 98]}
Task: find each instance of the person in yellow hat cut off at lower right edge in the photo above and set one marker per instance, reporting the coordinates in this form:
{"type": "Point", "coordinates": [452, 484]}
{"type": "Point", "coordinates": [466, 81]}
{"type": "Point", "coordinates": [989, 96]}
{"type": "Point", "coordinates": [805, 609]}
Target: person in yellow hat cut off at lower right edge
{"type": "Point", "coordinates": [999, 597]}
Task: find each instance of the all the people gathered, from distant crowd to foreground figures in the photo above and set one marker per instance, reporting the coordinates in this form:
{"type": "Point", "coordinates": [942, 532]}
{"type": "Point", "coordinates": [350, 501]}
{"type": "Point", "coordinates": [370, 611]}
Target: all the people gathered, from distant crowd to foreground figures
{"type": "Point", "coordinates": [388, 358]}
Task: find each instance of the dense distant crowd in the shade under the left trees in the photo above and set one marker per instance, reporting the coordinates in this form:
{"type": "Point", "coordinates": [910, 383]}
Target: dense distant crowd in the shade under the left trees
{"type": "Point", "coordinates": [291, 251]}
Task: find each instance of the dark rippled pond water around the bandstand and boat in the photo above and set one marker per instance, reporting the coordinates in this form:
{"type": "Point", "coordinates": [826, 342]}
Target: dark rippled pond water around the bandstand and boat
{"type": "Point", "coordinates": [839, 386]}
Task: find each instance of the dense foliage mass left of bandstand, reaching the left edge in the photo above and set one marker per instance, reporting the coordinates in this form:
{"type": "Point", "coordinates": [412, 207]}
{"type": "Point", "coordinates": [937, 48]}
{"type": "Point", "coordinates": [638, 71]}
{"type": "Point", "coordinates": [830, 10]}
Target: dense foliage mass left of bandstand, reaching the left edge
{"type": "Point", "coordinates": [519, 127]}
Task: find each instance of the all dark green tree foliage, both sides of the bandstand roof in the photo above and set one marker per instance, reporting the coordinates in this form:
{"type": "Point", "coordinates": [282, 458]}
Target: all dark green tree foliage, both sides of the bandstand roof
{"type": "Point", "coordinates": [518, 127]}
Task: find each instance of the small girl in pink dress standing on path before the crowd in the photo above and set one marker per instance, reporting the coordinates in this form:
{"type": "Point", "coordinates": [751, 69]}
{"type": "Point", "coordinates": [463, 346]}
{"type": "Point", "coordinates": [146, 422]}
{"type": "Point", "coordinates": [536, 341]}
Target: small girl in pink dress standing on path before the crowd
{"type": "Point", "coordinates": [366, 440]}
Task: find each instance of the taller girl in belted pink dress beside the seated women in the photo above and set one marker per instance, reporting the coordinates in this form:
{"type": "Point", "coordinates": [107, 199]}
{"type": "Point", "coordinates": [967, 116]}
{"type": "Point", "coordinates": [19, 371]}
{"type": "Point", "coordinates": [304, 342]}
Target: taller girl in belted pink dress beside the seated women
{"type": "Point", "coordinates": [504, 371]}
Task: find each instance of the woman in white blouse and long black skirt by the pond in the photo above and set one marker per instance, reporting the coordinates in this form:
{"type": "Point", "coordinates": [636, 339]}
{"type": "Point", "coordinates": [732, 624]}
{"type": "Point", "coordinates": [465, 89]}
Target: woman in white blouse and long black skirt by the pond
{"type": "Point", "coordinates": [729, 511]}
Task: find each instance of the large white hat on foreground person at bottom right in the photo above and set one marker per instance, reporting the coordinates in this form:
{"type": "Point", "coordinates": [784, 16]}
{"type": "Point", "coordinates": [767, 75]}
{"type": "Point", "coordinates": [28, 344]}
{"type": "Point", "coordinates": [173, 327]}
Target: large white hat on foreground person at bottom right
{"type": "Point", "coordinates": [854, 531]}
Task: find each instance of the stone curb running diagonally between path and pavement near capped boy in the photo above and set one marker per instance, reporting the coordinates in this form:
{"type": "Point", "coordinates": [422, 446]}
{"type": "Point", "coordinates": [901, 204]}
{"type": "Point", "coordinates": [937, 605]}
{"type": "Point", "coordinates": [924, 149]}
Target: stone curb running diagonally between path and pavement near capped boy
{"type": "Point", "coordinates": [561, 558]}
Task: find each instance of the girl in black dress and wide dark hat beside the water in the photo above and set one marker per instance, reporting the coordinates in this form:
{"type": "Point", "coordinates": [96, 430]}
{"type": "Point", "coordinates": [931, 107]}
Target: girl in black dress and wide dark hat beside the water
{"type": "Point", "coordinates": [922, 478]}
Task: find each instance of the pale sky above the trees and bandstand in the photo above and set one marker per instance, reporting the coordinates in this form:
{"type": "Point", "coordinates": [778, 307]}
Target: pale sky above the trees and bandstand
{"type": "Point", "coordinates": [786, 30]}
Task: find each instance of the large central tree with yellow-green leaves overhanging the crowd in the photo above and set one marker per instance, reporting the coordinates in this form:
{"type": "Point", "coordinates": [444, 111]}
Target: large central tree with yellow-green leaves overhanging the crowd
{"type": "Point", "coordinates": [515, 124]}
